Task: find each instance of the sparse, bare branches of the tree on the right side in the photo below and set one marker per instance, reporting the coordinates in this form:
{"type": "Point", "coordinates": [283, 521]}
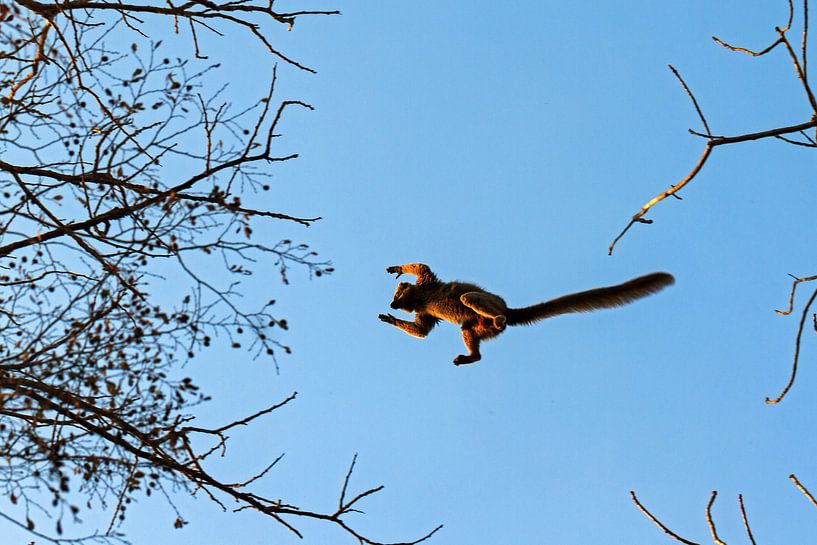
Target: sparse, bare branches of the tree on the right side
{"type": "Point", "coordinates": [800, 134]}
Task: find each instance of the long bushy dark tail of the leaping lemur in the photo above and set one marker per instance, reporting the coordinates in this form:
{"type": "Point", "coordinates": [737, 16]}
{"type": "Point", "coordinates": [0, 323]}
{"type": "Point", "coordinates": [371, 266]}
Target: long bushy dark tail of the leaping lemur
{"type": "Point", "coordinates": [590, 300]}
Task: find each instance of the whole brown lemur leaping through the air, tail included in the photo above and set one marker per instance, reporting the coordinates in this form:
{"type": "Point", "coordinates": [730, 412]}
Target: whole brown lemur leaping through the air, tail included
{"type": "Point", "coordinates": [483, 315]}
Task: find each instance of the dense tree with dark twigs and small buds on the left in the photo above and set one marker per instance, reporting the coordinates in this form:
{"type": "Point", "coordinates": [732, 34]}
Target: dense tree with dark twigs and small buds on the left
{"type": "Point", "coordinates": [123, 164]}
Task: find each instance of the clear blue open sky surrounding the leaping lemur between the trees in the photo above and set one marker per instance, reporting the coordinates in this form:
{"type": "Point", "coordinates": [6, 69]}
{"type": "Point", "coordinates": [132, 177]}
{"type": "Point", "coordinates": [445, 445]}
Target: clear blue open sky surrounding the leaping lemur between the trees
{"type": "Point", "coordinates": [506, 144]}
